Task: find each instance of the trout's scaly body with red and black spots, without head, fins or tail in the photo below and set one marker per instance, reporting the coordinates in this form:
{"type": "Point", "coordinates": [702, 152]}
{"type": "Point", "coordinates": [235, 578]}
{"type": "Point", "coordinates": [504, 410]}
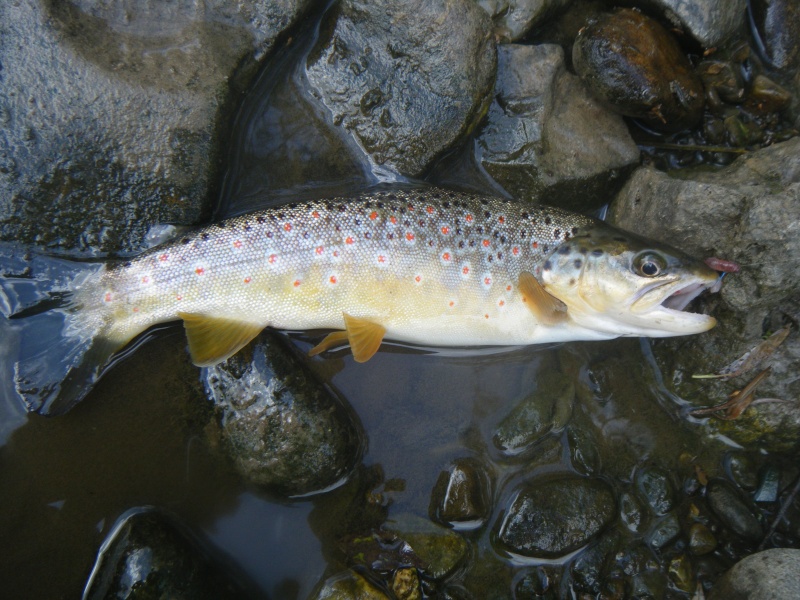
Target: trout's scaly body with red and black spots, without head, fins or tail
{"type": "Point", "coordinates": [445, 263]}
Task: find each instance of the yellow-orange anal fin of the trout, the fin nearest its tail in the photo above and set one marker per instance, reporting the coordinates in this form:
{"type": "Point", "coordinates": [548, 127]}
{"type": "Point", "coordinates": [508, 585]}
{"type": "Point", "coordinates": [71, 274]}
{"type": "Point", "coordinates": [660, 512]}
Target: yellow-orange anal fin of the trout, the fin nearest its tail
{"type": "Point", "coordinates": [213, 339]}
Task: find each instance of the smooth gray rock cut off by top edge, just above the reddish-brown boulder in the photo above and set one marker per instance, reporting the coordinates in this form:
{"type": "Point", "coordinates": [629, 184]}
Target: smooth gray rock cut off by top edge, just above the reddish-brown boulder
{"type": "Point", "coordinates": [710, 22]}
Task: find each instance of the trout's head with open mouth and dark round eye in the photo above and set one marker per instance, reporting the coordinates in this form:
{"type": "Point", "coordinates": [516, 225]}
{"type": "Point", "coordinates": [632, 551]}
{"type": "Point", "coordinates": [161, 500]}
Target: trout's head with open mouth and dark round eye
{"type": "Point", "coordinates": [614, 282]}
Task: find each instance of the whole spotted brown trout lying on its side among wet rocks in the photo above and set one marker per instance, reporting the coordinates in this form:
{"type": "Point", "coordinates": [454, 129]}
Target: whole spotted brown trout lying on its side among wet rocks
{"type": "Point", "coordinates": [427, 267]}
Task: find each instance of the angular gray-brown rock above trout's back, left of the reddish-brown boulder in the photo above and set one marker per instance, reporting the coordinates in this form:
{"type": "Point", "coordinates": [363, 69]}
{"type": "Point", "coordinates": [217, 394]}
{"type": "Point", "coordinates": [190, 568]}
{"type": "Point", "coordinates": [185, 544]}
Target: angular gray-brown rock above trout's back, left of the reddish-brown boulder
{"type": "Point", "coordinates": [545, 138]}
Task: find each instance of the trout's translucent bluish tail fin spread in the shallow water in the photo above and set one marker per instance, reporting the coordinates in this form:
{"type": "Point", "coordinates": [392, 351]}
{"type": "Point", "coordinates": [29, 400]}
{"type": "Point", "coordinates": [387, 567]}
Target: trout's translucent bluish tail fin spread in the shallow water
{"type": "Point", "coordinates": [61, 343]}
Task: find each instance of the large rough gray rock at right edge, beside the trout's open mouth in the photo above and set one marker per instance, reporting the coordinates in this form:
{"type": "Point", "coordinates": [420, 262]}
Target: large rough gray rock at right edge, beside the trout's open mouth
{"type": "Point", "coordinates": [748, 213]}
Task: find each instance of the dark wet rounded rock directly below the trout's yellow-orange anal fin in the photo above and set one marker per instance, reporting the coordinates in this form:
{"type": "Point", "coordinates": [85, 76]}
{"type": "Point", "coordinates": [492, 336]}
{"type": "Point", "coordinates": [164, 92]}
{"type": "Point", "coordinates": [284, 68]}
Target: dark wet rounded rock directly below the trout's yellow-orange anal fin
{"type": "Point", "coordinates": [281, 427]}
